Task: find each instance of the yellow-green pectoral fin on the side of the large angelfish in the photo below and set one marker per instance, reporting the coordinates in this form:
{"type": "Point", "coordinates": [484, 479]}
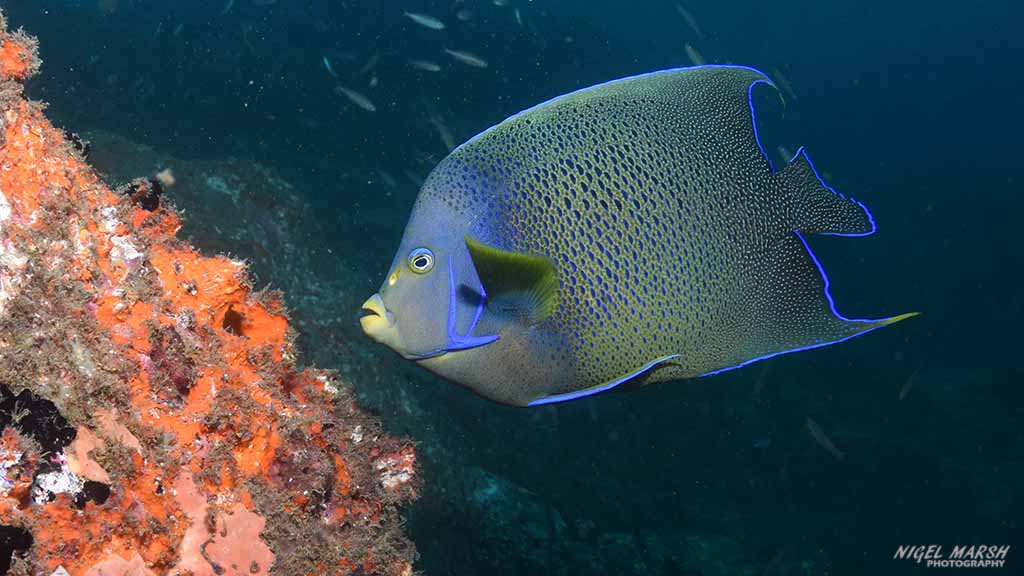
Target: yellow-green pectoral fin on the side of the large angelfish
{"type": "Point", "coordinates": [530, 277]}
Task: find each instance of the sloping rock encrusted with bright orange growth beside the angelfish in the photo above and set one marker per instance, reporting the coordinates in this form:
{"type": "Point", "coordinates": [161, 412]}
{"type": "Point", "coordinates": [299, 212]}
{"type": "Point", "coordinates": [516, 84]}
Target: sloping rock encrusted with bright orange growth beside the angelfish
{"type": "Point", "coordinates": [154, 419]}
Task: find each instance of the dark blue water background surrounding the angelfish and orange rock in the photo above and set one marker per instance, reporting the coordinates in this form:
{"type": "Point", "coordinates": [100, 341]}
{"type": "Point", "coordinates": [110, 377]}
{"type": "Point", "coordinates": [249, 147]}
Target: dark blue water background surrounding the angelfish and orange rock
{"type": "Point", "coordinates": [912, 107]}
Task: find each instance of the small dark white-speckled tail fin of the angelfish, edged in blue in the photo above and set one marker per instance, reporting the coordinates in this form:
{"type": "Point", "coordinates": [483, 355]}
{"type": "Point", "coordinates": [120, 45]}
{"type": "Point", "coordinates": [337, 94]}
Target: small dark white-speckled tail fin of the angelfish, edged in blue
{"type": "Point", "coordinates": [815, 208]}
